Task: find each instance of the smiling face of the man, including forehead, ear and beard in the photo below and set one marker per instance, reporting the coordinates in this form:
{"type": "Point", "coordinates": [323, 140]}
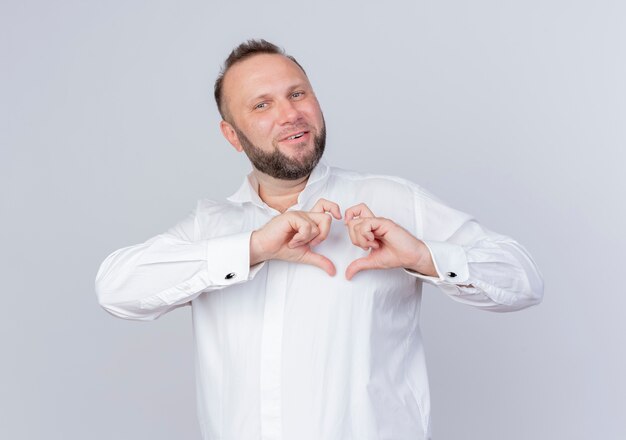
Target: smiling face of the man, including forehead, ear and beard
{"type": "Point", "coordinates": [273, 116]}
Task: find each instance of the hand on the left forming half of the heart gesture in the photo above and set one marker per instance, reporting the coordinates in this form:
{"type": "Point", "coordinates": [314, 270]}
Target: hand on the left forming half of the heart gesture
{"type": "Point", "coordinates": [291, 235]}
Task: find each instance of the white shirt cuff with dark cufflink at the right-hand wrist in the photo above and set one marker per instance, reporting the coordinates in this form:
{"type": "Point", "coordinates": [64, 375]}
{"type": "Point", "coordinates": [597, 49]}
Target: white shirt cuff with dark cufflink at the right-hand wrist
{"type": "Point", "coordinates": [450, 263]}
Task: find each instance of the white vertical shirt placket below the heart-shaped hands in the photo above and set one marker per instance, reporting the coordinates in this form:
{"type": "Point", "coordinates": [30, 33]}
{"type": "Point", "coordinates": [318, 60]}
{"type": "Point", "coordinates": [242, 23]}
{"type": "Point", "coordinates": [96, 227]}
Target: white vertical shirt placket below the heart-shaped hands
{"type": "Point", "coordinates": [271, 351]}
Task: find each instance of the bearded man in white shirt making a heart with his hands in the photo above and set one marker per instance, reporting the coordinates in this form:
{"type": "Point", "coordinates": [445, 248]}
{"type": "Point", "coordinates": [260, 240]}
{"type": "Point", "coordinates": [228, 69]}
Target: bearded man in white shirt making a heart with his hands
{"type": "Point", "coordinates": [305, 284]}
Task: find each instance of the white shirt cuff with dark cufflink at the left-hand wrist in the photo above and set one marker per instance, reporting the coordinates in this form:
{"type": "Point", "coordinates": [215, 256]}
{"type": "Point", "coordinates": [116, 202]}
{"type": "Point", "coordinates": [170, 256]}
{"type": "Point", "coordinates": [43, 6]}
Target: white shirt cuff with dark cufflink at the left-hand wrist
{"type": "Point", "coordinates": [228, 259]}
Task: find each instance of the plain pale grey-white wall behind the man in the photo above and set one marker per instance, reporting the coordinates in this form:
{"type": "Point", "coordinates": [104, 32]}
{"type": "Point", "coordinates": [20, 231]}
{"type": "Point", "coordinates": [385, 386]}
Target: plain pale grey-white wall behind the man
{"type": "Point", "coordinates": [514, 111]}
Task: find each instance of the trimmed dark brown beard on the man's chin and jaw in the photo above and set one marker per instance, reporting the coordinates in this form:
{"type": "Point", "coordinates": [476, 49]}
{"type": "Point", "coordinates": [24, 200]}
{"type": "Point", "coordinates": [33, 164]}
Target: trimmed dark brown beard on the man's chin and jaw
{"type": "Point", "coordinates": [280, 166]}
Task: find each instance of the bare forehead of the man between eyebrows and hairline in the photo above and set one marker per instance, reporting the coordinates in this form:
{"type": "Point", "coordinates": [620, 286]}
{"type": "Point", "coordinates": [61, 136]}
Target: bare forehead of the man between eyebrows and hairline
{"type": "Point", "coordinates": [259, 75]}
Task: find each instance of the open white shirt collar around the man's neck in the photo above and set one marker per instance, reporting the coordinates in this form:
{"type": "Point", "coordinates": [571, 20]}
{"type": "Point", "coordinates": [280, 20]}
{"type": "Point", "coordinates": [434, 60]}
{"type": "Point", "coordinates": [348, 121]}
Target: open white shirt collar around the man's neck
{"type": "Point", "coordinates": [248, 191]}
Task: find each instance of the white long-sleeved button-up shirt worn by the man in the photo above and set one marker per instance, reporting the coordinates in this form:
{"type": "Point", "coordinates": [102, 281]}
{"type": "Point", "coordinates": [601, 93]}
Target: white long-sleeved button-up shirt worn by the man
{"type": "Point", "coordinates": [285, 351]}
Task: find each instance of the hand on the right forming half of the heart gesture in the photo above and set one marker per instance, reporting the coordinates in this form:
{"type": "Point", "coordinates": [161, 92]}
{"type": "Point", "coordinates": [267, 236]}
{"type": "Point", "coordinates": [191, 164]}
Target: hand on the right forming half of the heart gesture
{"type": "Point", "coordinates": [391, 245]}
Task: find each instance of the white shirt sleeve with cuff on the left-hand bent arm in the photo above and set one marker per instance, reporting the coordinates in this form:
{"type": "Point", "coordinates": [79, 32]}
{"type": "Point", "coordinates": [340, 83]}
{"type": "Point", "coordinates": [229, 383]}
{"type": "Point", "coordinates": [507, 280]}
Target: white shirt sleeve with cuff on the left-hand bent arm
{"type": "Point", "coordinates": [144, 281]}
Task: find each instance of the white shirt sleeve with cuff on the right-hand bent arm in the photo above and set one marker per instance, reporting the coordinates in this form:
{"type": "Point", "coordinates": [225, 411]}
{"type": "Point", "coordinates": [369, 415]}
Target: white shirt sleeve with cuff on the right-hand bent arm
{"type": "Point", "coordinates": [475, 266]}
